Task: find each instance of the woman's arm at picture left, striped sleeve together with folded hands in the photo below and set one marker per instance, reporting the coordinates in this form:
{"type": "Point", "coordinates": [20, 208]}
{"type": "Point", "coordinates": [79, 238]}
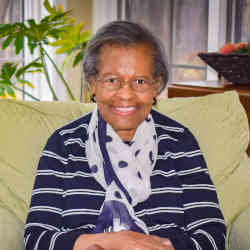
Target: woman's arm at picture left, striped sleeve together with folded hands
{"type": "Point", "coordinates": [45, 227]}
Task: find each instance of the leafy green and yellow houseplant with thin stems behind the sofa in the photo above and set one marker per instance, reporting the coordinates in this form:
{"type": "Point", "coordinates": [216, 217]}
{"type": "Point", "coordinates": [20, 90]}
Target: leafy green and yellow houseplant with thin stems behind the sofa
{"type": "Point", "coordinates": [58, 28]}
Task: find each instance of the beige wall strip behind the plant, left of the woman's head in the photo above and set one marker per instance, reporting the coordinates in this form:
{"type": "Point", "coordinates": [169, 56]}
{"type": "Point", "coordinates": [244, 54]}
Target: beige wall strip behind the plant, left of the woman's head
{"type": "Point", "coordinates": [82, 11]}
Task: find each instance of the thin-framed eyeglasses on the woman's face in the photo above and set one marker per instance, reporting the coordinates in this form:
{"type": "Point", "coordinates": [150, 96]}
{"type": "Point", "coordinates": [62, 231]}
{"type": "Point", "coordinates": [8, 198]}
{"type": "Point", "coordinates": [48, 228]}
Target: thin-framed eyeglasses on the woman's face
{"type": "Point", "coordinates": [114, 83]}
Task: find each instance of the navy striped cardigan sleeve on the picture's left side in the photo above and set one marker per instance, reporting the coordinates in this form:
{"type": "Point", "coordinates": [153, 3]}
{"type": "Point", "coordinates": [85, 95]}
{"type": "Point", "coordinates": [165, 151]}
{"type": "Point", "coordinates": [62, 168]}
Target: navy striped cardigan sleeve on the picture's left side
{"type": "Point", "coordinates": [44, 228]}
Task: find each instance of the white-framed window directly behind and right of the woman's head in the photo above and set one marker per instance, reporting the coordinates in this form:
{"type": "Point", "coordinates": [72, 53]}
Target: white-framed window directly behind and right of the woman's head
{"type": "Point", "coordinates": [185, 26]}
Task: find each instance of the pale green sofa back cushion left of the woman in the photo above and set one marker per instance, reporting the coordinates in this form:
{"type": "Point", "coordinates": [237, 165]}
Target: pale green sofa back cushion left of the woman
{"type": "Point", "coordinates": [25, 128]}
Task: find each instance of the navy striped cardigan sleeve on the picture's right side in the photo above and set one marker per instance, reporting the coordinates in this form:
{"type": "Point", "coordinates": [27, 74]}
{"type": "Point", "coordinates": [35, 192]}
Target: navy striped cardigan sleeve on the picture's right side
{"type": "Point", "coordinates": [204, 222]}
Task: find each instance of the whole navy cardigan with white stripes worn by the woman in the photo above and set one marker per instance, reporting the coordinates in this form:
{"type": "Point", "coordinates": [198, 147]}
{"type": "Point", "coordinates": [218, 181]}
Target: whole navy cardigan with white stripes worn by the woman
{"type": "Point", "coordinates": [66, 198]}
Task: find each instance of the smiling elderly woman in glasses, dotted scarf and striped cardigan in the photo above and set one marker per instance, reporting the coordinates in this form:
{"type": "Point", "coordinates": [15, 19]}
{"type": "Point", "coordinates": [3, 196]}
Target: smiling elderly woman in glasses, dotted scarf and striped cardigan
{"type": "Point", "coordinates": [124, 176]}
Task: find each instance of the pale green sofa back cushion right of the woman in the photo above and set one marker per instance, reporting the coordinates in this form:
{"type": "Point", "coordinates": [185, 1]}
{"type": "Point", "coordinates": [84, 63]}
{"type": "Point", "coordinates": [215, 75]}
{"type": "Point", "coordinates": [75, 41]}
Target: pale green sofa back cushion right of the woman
{"type": "Point", "coordinates": [220, 125]}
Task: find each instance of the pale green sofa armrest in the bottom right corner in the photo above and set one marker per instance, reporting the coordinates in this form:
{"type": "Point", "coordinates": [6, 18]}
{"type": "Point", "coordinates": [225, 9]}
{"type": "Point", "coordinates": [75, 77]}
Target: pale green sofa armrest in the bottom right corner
{"type": "Point", "coordinates": [239, 232]}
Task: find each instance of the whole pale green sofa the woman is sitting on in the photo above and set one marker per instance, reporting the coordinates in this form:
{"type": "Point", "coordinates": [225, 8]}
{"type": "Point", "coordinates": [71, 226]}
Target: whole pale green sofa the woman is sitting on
{"type": "Point", "coordinates": [218, 121]}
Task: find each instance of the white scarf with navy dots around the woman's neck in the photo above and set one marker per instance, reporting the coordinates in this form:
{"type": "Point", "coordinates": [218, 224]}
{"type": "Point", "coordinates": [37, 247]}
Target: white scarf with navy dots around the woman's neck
{"type": "Point", "coordinates": [123, 171]}
